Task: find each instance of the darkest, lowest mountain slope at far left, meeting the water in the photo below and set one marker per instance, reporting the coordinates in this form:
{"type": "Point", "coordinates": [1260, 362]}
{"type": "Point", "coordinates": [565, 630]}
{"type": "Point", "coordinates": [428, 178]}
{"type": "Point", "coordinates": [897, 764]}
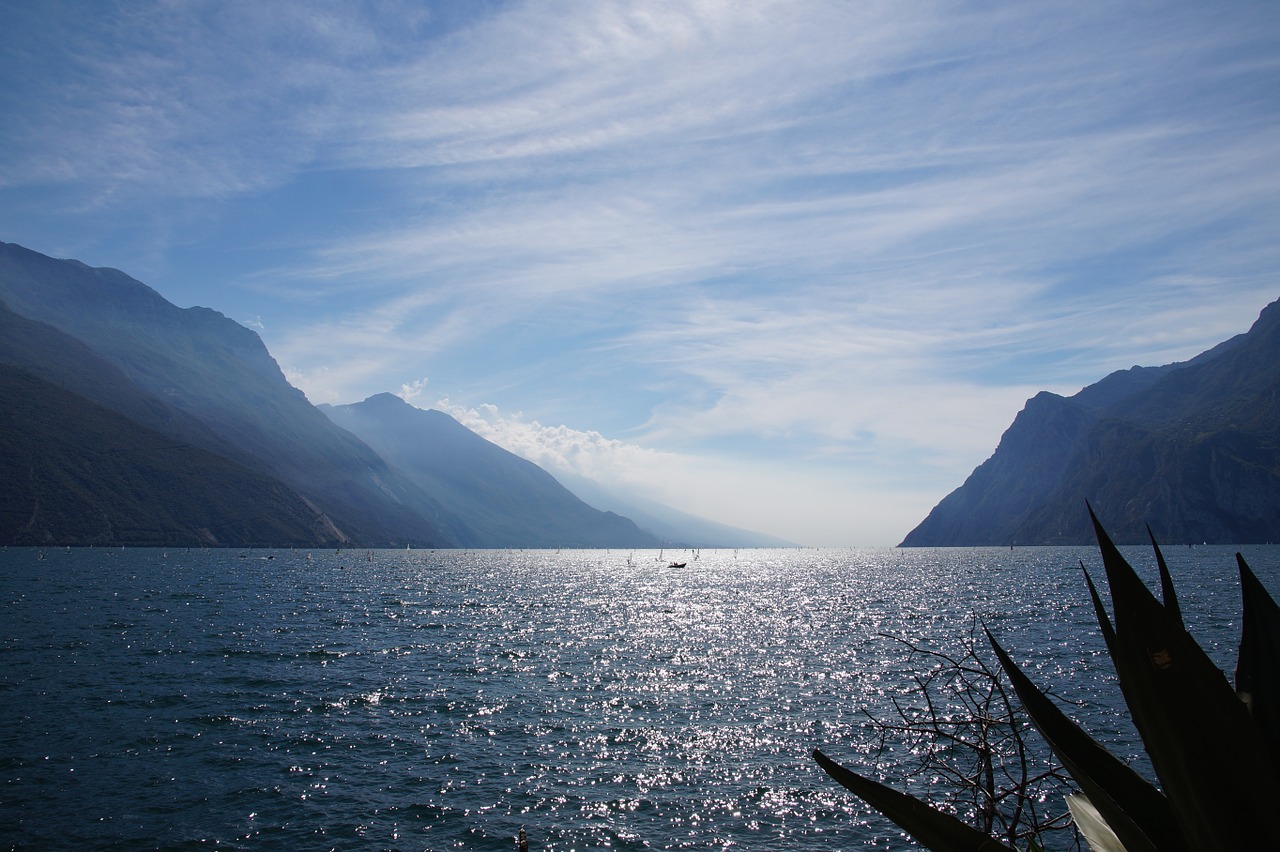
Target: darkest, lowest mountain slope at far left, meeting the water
{"type": "Point", "coordinates": [77, 474]}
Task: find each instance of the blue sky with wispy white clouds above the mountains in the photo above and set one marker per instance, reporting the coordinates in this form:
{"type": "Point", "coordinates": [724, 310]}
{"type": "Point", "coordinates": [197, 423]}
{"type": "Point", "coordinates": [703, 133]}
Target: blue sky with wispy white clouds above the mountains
{"type": "Point", "coordinates": [792, 267]}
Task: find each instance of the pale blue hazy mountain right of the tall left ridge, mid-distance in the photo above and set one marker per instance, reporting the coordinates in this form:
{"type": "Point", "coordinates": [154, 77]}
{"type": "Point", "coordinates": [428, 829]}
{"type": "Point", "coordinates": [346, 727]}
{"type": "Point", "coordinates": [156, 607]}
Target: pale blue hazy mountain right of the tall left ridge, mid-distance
{"type": "Point", "coordinates": [501, 500]}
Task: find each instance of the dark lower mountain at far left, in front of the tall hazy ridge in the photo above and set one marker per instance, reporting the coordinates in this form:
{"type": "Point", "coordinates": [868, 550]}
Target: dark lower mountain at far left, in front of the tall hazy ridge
{"type": "Point", "coordinates": [89, 459]}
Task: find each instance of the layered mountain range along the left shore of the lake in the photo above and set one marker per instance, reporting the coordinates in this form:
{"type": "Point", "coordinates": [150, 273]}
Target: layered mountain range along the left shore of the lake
{"type": "Point", "coordinates": [129, 420]}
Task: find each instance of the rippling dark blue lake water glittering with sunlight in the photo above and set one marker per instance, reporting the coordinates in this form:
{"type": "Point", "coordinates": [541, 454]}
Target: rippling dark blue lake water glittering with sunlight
{"type": "Point", "coordinates": [437, 700]}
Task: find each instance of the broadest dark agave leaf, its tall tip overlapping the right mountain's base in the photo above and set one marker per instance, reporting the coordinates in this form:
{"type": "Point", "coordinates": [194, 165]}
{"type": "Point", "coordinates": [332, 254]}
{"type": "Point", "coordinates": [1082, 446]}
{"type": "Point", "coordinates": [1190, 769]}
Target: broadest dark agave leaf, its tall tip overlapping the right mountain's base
{"type": "Point", "coordinates": [1206, 750]}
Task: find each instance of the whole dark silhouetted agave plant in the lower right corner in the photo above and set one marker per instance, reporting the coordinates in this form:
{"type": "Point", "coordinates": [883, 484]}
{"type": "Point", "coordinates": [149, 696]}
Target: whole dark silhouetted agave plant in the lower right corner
{"type": "Point", "coordinates": [1214, 749]}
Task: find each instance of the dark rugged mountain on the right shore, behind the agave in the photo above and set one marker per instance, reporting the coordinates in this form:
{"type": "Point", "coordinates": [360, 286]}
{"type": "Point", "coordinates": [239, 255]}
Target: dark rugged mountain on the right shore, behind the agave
{"type": "Point", "coordinates": [1191, 450]}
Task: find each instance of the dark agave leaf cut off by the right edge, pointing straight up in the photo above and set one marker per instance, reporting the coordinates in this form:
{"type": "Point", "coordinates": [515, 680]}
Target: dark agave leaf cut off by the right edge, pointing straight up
{"type": "Point", "coordinates": [1258, 670]}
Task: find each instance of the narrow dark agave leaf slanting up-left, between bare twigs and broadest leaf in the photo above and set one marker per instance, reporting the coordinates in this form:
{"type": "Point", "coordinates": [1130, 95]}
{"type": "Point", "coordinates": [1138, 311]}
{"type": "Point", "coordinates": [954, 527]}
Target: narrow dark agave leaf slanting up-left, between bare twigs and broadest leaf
{"type": "Point", "coordinates": [1139, 814]}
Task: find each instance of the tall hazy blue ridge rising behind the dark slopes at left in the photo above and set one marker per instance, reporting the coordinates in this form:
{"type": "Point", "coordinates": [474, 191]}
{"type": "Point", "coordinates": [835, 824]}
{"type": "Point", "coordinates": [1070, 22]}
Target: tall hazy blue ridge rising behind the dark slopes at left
{"type": "Point", "coordinates": [220, 390]}
